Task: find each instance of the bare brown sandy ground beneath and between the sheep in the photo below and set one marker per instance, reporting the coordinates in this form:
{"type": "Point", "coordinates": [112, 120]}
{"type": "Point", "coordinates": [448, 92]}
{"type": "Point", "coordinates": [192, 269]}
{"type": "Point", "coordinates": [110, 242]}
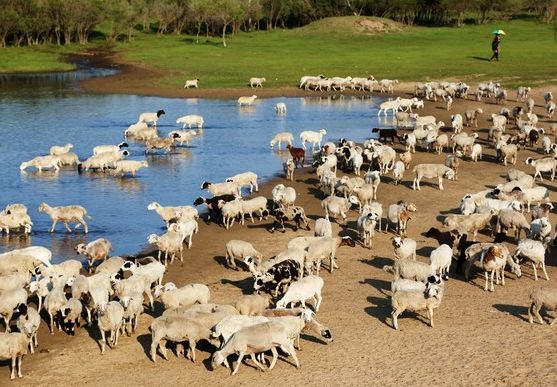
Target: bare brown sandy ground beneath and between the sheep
{"type": "Point", "coordinates": [479, 338]}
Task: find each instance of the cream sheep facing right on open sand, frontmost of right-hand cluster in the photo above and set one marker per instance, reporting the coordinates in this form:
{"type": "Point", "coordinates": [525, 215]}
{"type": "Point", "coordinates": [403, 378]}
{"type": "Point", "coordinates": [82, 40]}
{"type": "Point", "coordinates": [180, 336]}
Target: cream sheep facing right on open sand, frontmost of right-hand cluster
{"type": "Point", "coordinates": [416, 301]}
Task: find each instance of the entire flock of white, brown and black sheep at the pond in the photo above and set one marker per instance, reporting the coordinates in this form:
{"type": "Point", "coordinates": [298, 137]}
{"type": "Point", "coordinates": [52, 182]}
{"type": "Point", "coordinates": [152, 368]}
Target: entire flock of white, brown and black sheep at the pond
{"type": "Point", "coordinates": [112, 294]}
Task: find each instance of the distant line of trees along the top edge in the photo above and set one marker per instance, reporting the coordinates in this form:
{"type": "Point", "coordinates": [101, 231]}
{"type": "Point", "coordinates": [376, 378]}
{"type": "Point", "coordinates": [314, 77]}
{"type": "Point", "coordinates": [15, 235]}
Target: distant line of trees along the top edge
{"type": "Point", "coordinates": [34, 22]}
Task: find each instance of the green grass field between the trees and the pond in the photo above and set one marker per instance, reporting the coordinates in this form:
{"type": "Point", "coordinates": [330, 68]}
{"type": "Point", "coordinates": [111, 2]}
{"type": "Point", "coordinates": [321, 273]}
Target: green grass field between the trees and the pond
{"type": "Point", "coordinates": [334, 48]}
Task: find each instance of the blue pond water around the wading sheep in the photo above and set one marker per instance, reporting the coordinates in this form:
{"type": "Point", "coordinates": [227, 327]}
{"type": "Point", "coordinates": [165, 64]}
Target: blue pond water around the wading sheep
{"type": "Point", "coordinates": [38, 112]}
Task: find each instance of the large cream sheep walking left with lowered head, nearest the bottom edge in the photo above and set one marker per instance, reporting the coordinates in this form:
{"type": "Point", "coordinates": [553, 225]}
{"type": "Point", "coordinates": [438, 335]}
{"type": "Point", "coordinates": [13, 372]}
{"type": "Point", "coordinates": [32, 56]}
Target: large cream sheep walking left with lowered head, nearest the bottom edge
{"type": "Point", "coordinates": [253, 340]}
